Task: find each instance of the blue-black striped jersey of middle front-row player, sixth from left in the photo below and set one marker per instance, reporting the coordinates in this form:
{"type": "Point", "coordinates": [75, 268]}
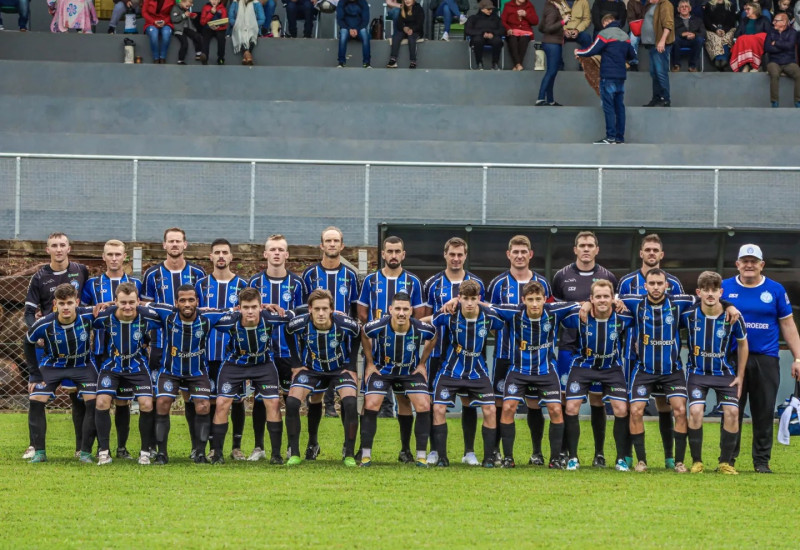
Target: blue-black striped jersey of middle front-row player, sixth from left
{"type": "Point", "coordinates": [397, 353]}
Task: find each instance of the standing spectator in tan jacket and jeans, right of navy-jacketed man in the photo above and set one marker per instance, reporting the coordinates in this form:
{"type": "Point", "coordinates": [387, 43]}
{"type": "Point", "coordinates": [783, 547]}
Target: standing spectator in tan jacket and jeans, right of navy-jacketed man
{"type": "Point", "coordinates": [658, 34]}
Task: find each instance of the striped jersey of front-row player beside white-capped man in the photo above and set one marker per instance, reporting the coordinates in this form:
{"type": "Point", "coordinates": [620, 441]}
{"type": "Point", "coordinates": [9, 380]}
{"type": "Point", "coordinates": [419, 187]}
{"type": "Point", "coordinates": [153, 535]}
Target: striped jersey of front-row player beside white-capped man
{"type": "Point", "coordinates": [710, 341]}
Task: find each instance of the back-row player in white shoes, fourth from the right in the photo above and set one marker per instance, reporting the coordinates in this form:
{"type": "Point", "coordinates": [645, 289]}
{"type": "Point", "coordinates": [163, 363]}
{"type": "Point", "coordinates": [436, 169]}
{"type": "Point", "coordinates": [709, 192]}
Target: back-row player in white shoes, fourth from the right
{"type": "Point", "coordinates": [440, 289]}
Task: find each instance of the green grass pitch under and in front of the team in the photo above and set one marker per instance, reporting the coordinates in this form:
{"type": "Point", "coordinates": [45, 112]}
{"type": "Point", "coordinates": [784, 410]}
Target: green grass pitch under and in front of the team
{"type": "Point", "coordinates": [65, 504]}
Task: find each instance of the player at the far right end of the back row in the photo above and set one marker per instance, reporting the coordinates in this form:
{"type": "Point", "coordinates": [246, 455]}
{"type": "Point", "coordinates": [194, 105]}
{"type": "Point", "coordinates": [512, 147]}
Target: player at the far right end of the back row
{"type": "Point", "coordinates": [651, 252]}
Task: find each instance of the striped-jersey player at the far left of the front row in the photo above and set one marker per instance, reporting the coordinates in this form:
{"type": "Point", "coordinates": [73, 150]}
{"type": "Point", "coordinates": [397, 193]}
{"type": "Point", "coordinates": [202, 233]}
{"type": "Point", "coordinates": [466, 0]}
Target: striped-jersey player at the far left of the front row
{"type": "Point", "coordinates": [66, 334]}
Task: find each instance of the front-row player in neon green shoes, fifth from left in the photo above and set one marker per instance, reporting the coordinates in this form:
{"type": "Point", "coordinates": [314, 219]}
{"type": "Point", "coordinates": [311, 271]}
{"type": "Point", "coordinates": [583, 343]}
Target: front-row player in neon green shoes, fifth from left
{"type": "Point", "coordinates": [321, 336]}
